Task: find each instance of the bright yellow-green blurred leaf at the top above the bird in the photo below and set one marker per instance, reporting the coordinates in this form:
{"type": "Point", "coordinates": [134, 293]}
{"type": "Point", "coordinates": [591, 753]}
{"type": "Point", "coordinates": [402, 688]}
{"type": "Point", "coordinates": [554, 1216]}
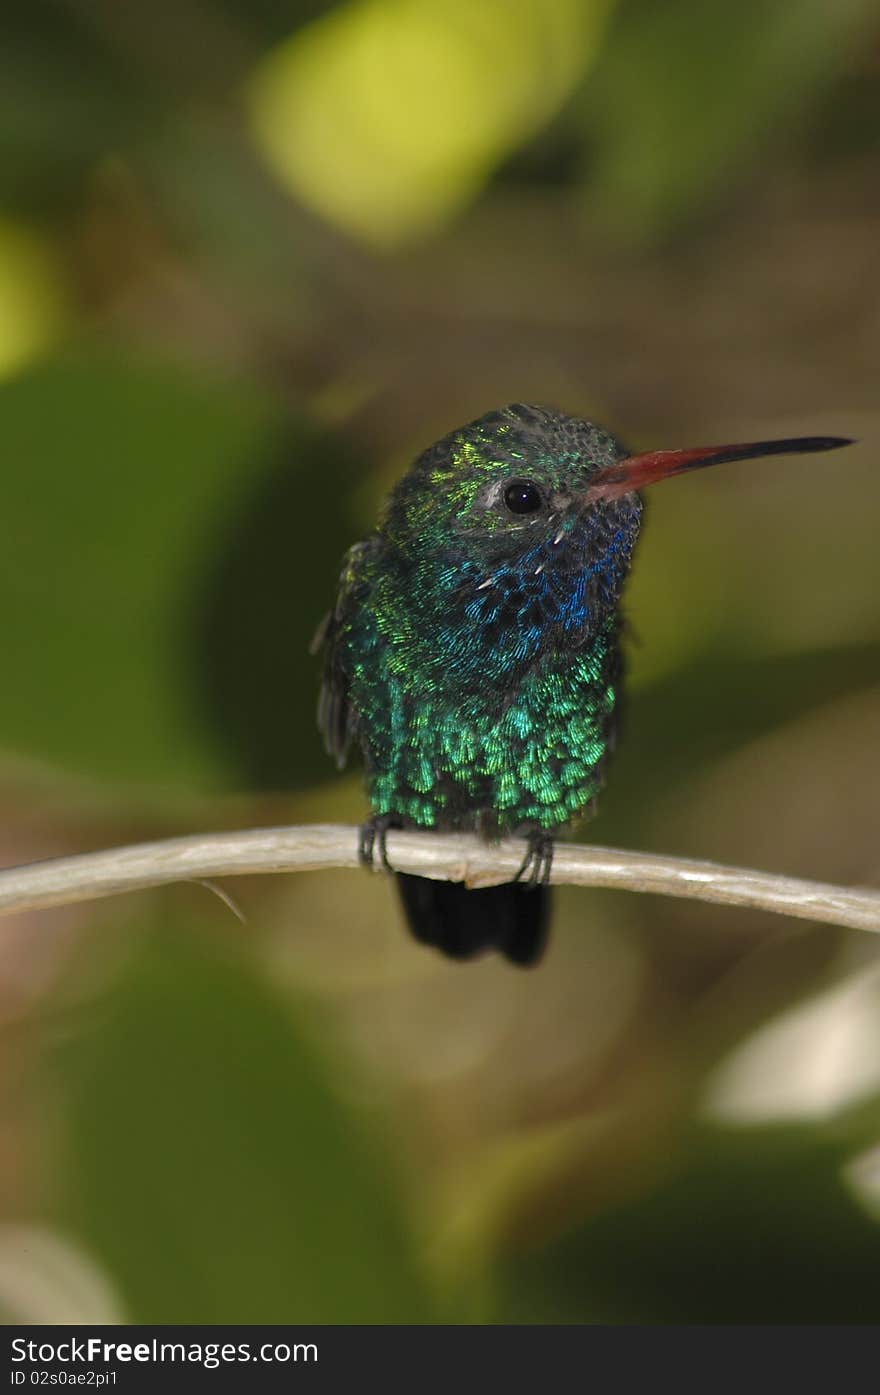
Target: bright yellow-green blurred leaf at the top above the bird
{"type": "Point", "coordinates": [347, 112]}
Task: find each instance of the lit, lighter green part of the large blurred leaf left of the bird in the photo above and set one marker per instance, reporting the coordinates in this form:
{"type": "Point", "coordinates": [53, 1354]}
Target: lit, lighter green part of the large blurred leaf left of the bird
{"type": "Point", "coordinates": [116, 481]}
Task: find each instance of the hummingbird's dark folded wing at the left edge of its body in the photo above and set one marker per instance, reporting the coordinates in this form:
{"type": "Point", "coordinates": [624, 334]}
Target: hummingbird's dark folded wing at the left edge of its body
{"type": "Point", "coordinates": [335, 716]}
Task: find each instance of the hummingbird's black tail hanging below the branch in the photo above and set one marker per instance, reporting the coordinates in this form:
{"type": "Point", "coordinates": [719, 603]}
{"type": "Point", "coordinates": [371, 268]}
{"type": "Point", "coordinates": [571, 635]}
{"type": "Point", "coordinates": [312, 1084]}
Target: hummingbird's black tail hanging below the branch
{"type": "Point", "coordinates": [513, 919]}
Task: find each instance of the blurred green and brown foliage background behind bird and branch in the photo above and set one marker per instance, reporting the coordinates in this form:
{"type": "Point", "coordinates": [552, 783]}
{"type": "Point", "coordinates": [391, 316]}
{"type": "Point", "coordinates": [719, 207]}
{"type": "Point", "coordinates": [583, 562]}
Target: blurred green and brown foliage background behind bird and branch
{"type": "Point", "coordinates": [253, 259]}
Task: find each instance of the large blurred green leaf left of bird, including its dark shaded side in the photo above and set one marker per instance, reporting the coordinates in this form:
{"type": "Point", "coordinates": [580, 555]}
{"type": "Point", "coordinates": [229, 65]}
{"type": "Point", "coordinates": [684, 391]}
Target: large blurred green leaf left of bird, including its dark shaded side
{"type": "Point", "coordinates": [158, 585]}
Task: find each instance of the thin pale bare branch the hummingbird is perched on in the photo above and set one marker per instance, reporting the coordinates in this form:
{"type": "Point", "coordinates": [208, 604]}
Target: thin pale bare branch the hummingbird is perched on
{"type": "Point", "coordinates": [454, 857]}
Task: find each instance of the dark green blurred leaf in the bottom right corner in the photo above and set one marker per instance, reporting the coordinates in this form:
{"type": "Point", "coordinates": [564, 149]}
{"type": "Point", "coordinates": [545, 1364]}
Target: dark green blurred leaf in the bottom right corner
{"type": "Point", "coordinates": [751, 1227]}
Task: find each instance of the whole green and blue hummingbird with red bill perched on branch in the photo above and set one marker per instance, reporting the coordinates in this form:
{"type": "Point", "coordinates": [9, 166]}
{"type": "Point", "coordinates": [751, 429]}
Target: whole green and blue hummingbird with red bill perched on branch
{"type": "Point", "coordinates": [475, 651]}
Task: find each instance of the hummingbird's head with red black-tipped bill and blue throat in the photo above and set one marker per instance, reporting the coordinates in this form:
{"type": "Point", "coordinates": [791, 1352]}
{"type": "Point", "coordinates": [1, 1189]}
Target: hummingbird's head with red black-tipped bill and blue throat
{"type": "Point", "coordinates": [525, 521]}
